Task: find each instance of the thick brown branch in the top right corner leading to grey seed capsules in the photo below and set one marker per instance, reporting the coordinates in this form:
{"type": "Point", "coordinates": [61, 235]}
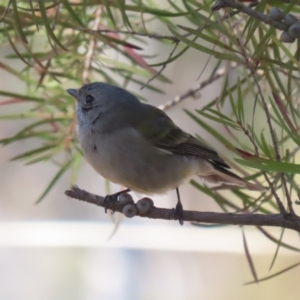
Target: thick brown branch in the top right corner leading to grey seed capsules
{"type": "Point", "coordinates": [250, 12]}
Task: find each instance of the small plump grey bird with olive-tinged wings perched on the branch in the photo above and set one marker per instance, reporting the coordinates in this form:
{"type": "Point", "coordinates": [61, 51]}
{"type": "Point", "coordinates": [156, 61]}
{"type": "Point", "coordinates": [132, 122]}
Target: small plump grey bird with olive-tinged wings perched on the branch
{"type": "Point", "coordinates": [136, 145]}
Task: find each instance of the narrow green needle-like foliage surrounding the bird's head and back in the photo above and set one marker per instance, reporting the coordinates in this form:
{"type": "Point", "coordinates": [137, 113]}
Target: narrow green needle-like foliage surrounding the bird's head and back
{"type": "Point", "coordinates": [68, 43]}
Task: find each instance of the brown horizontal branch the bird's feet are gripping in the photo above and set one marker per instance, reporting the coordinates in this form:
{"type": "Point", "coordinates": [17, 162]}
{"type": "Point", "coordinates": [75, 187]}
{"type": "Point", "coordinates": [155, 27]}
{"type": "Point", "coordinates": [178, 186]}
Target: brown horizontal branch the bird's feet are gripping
{"type": "Point", "coordinates": [275, 220]}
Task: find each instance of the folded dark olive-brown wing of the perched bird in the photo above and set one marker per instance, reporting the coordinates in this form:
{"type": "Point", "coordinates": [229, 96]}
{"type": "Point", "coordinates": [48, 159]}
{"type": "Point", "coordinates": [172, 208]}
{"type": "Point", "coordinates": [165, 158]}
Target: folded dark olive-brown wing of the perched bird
{"type": "Point", "coordinates": [159, 130]}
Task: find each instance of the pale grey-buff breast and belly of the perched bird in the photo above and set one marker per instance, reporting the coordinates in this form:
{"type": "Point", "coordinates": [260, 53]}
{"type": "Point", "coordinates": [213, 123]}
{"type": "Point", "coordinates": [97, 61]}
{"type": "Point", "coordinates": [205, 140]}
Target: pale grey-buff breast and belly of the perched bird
{"type": "Point", "coordinates": [125, 158]}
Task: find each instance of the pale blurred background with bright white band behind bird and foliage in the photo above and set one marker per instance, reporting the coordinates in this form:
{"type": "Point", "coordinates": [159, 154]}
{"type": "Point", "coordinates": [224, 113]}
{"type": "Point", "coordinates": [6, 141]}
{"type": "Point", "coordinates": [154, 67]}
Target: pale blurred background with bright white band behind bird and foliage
{"type": "Point", "coordinates": [64, 249]}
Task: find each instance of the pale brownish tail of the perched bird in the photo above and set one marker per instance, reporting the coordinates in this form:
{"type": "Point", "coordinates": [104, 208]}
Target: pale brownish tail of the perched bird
{"type": "Point", "coordinates": [222, 175]}
